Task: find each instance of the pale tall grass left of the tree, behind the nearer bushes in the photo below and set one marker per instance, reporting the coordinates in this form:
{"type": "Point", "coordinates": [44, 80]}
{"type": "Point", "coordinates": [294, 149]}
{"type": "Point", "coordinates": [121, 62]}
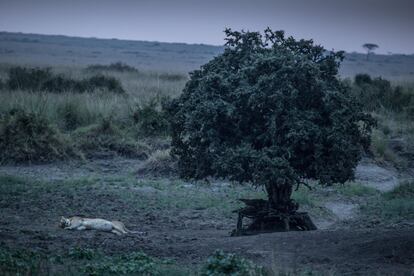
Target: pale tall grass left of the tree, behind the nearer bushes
{"type": "Point", "coordinates": [89, 108]}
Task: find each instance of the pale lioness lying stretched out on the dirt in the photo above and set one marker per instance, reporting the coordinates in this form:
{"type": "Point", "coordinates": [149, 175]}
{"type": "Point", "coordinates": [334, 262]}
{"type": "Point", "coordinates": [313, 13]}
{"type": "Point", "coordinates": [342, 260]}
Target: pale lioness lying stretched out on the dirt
{"type": "Point", "coordinates": [79, 223]}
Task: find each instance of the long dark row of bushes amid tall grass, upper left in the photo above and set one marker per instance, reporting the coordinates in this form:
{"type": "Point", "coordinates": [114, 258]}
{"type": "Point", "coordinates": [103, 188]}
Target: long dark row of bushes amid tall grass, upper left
{"type": "Point", "coordinates": [43, 79]}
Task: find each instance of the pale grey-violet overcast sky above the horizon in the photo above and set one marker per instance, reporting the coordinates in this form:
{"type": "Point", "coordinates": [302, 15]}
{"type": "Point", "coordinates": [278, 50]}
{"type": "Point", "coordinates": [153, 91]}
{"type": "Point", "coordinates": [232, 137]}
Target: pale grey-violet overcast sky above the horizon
{"type": "Point", "coordinates": [335, 24]}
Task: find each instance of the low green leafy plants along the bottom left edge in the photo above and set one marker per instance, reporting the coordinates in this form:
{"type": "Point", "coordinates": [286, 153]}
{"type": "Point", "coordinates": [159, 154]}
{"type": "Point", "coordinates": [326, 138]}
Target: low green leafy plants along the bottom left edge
{"type": "Point", "coordinates": [84, 261]}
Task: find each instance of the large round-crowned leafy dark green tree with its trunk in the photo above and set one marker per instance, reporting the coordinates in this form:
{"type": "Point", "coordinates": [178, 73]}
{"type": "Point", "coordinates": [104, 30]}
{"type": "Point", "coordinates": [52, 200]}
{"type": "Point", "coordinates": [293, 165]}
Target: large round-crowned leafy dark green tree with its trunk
{"type": "Point", "coordinates": [269, 111]}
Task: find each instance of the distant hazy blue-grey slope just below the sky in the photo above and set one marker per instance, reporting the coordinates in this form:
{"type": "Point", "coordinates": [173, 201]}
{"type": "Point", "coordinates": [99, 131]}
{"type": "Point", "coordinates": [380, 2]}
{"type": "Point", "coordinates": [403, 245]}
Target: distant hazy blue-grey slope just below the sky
{"type": "Point", "coordinates": [73, 51]}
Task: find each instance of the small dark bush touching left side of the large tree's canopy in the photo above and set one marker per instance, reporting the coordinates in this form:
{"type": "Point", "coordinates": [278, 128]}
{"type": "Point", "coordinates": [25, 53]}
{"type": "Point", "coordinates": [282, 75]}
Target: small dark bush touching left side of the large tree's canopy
{"type": "Point", "coordinates": [151, 119]}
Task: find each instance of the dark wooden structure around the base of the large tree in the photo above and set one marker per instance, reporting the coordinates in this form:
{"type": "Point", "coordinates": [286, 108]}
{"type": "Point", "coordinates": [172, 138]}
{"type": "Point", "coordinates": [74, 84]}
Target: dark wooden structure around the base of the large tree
{"type": "Point", "coordinates": [265, 219]}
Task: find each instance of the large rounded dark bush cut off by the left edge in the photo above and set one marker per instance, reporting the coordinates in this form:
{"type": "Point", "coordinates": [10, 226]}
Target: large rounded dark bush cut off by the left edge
{"type": "Point", "coordinates": [29, 138]}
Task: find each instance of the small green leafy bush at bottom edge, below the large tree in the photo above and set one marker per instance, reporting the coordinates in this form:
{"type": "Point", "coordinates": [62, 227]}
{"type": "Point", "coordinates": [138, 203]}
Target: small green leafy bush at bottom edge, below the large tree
{"type": "Point", "coordinates": [221, 263]}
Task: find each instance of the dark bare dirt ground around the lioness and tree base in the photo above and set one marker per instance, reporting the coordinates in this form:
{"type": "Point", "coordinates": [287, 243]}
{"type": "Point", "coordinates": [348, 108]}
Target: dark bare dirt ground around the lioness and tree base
{"type": "Point", "coordinates": [183, 225]}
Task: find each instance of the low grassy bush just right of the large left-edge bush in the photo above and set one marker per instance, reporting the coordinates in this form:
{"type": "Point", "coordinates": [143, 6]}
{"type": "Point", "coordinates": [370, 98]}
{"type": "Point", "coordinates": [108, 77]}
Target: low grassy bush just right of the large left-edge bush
{"type": "Point", "coordinates": [106, 138]}
